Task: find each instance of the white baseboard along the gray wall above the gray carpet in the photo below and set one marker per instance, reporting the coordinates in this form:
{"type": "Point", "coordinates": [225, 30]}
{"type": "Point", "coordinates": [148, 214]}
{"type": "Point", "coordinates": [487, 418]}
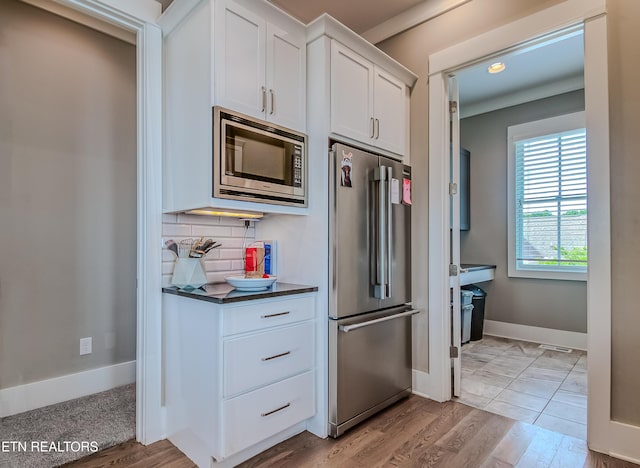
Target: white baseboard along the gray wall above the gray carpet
{"type": "Point", "coordinates": [14, 400]}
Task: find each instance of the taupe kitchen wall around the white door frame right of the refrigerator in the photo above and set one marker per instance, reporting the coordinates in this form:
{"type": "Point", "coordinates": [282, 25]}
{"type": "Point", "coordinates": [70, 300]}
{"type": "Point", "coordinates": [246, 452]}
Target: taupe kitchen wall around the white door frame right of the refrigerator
{"type": "Point", "coordinates": [412, 49]}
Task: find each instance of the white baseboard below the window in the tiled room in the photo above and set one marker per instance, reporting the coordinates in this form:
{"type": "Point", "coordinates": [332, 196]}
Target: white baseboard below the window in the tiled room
{"type": "Point", "coordinates": [567, 339]}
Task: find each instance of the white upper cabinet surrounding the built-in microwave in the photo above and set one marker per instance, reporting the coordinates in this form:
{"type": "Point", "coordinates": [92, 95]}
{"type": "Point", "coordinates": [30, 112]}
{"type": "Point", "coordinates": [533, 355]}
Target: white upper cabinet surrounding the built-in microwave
{"type": "Point", "coordinates": [244, 55]}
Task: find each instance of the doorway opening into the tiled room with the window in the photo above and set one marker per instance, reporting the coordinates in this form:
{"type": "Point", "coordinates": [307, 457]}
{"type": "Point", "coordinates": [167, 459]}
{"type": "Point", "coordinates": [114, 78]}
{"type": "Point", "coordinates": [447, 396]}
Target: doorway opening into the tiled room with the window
{"type": "Point", "coordinates": [540, 202]}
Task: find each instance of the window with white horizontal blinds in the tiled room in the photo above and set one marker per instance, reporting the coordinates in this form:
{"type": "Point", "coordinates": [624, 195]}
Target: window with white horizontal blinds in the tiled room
{"type": "Point", "coordinates": [551, 202]}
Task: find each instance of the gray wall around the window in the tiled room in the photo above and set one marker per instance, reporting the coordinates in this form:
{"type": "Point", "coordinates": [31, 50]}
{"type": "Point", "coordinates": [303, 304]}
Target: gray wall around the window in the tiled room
{"type": "Point", "coordinates": [554, 304]}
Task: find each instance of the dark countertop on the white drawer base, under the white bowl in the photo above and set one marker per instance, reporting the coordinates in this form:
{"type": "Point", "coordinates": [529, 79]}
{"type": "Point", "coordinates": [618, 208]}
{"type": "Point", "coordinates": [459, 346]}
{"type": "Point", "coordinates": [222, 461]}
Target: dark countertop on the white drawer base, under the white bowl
{"type": "Point", "coordinates": [223, 293]}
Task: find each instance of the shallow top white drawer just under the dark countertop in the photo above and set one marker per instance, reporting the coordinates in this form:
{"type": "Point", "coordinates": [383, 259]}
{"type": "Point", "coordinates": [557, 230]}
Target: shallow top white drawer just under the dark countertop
{"type": "Point", "coordinates": [256, 316]}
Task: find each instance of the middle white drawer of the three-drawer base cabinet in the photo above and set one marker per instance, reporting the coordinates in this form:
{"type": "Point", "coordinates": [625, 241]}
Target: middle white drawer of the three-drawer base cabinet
{"type": "Point", "coordinates": [256, 360]}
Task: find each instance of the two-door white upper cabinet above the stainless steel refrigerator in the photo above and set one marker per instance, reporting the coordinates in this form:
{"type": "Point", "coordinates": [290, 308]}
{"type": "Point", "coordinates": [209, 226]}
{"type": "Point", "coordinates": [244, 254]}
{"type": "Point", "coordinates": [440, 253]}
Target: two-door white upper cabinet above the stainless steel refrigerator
{"type": "Point", "coordinates": [368, 104]}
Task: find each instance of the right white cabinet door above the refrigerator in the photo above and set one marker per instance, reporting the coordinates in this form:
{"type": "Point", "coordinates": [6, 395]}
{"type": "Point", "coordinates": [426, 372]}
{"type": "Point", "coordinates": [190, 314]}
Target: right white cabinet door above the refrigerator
{"type": "Point", "coordinates": [390, 112]}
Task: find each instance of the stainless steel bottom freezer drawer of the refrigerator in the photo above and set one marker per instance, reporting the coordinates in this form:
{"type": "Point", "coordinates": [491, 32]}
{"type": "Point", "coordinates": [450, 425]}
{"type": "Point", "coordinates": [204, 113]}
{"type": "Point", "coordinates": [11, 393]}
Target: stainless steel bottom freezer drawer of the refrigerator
{"type": "Point", "coordinates": [370, 365]}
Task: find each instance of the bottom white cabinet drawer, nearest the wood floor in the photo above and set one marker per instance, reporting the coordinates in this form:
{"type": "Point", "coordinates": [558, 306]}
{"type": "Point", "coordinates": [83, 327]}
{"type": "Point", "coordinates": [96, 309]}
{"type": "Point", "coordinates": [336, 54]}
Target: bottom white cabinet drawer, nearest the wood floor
{"type": "Point", "coordinates": [255, 416]}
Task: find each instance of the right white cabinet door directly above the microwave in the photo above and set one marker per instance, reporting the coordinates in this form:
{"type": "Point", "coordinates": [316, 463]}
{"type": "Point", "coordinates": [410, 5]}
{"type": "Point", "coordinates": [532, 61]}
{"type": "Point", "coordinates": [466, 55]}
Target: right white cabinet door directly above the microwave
{"type": "Point", "coordinates": [286, 71]}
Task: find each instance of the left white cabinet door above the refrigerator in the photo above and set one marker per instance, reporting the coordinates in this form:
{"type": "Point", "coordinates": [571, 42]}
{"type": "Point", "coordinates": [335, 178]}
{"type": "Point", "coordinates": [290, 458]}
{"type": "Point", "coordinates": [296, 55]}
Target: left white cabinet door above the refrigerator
{"type": "Point", "coordinates": [351, 94]}
